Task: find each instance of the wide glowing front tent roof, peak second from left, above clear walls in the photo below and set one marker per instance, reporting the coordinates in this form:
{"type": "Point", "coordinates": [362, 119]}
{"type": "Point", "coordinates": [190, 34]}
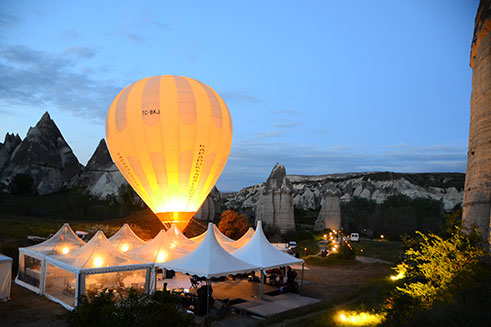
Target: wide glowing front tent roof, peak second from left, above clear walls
{"type": "Point", "coordinates": [97, 253]}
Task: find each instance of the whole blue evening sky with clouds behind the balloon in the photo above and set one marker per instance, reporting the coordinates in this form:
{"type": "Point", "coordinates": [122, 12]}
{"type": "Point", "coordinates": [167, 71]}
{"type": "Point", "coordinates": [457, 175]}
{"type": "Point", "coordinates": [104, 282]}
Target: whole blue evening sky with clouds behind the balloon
{"type": "Point", "coordinates": [319, 86]}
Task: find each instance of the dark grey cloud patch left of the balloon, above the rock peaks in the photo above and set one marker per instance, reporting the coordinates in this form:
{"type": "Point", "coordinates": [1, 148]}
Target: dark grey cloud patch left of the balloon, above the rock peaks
{"type": "Point", "coordinates": [45, 79]}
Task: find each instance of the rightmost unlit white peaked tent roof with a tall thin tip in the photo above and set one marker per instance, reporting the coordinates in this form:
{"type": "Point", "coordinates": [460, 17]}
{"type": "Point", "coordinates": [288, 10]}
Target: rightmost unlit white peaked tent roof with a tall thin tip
{"type": "Point", "coordinates": [259, 252]}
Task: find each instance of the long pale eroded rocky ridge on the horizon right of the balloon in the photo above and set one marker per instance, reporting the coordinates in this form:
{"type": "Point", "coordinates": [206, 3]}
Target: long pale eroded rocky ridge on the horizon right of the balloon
{"type": "Point", "coordinates": [308, 191]}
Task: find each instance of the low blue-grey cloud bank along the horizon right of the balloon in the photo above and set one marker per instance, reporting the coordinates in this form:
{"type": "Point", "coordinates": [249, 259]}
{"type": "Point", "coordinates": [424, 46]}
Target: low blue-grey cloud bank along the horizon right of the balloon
{"type": "Point", "coordinates": [251, 162]}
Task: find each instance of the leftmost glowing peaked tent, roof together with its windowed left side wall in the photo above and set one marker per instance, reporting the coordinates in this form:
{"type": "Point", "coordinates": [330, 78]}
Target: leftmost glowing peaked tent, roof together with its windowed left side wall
{"type": "Point", "coordinates": [32, 263]}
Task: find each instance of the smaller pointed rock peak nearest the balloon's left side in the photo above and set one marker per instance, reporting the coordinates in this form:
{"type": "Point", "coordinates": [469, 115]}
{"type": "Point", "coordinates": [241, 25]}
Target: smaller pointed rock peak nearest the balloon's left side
{"type": "Point", "coordinates": [101, 175]}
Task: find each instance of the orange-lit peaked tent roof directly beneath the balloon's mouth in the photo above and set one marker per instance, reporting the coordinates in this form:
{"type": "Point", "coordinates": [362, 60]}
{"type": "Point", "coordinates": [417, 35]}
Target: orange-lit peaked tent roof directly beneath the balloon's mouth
{"type": "Point", "coordinates": [160, 249]}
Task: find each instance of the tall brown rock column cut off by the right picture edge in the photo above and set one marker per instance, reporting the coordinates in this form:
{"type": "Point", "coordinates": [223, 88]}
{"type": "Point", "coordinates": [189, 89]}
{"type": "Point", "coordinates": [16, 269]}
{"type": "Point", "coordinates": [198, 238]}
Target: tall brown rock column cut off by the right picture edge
{"type": "Point", "coordinates": [477, 196]}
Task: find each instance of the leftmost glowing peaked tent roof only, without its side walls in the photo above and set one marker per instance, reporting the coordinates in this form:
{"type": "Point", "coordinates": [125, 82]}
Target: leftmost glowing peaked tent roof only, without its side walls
{"type": "Point", "coordinates": [64, 241]}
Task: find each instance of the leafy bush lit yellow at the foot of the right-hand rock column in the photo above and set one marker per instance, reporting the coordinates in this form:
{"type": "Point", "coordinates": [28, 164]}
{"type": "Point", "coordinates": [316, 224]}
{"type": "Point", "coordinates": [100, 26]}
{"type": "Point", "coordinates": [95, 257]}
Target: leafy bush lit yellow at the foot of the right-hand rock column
{"type": "Point", "coordinates": [435, 271]}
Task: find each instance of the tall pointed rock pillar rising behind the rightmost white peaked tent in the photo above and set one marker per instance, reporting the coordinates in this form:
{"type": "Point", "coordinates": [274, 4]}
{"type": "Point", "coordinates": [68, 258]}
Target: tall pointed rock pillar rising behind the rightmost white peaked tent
{"type": "Point", "coordinates": [275, 202]}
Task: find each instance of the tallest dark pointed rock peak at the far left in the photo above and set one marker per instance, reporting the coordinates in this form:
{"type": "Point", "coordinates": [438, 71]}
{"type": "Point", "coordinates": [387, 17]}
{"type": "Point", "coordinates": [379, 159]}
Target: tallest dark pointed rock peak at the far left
{"type": "Point", "coordinates": [45, 156]}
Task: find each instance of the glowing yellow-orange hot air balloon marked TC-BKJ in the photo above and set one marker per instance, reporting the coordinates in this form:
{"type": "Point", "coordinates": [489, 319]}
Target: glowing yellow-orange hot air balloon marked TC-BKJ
{"type": "Point", "coordinates": [170, 136]}
